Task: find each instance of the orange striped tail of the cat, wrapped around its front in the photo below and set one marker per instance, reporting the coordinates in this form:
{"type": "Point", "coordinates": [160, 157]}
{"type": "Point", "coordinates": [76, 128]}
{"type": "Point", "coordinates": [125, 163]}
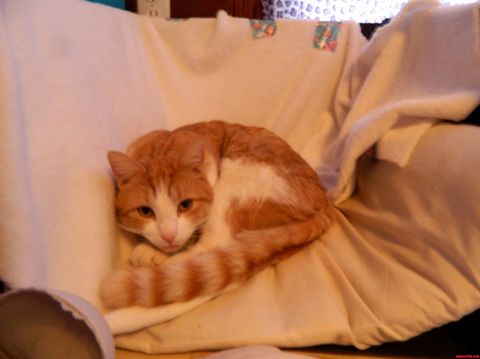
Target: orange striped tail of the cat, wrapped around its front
{"type": "Point", "coordinates": [211, 272]}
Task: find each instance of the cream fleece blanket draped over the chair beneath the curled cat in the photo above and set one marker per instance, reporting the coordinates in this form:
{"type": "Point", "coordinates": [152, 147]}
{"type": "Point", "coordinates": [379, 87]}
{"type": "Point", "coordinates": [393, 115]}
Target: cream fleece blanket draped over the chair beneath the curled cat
{"type": "Point", "coordinates": [78, 79]}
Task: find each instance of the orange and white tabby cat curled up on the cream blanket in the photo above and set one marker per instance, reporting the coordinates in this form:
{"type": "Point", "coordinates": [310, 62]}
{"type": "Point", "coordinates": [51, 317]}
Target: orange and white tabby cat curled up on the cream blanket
{"type": "Point", "coordinates": [240, 192]}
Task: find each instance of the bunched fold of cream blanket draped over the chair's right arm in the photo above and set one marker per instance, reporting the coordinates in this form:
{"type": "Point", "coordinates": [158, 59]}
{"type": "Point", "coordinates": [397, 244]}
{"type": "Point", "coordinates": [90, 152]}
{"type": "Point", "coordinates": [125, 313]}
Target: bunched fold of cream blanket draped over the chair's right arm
{"type": "Point", "coordinates": [411, 64]}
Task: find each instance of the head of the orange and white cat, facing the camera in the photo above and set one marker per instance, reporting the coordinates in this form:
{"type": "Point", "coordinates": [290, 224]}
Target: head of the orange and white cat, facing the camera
{"type": "Point", "coordinates": [164, 187]}
